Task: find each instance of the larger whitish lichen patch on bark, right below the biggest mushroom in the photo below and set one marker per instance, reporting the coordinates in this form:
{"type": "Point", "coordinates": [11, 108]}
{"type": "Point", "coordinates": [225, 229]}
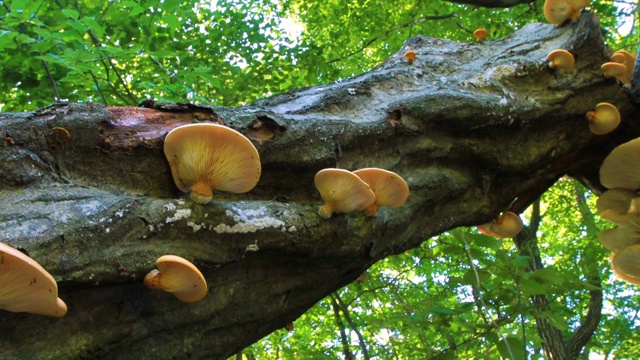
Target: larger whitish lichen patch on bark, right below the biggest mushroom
{"type": "Point", "coordinates": [248, 221]}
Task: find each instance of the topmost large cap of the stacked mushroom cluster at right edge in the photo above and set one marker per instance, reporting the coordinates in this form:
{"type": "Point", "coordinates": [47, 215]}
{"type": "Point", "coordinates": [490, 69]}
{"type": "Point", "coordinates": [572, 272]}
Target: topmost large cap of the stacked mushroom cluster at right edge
{"type": "Point", "coordinates": [621, 168]}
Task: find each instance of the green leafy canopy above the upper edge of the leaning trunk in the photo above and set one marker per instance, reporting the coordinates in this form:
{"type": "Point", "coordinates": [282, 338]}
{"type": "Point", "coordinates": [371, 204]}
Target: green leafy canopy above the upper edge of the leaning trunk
{"type": "Point", "coordinates": [226, 52]}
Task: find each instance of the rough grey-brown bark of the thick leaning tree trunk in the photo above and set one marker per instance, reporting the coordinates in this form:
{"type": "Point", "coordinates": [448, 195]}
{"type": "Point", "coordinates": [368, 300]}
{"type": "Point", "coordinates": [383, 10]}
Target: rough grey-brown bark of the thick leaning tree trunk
{"type": "Point", "coordinates": [473, 128]}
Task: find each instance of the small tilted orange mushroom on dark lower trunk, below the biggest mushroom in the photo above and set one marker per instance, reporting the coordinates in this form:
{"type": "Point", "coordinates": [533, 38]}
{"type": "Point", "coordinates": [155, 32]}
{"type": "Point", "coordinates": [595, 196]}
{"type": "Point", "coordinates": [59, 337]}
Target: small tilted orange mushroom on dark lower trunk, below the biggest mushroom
{"type": "Point", "coordinates": [178, 276]}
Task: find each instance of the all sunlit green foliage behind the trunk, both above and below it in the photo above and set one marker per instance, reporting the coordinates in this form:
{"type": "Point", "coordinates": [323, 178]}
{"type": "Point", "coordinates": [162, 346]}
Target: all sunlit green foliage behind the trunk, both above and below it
{"type": "Point", "coordinates": [458, 294]}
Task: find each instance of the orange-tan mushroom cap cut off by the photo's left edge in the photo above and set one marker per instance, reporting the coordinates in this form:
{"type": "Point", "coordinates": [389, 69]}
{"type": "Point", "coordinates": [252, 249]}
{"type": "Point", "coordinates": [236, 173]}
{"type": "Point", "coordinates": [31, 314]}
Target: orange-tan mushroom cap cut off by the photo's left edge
{"type": "Point", "coordinates": [25, 286]}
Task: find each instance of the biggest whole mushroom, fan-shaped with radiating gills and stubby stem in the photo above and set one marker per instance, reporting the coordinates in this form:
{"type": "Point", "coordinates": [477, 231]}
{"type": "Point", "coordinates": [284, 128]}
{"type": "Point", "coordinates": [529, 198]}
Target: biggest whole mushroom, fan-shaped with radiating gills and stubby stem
{"type": "Point", "coordinates": [205, 157]}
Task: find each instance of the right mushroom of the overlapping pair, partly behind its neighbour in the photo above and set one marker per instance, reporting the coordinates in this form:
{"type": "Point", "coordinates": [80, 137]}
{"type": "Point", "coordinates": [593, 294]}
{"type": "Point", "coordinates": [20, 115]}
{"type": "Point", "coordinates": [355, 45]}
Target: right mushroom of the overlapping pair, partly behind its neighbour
{"type": "Point", "coordinates": [389, 188]}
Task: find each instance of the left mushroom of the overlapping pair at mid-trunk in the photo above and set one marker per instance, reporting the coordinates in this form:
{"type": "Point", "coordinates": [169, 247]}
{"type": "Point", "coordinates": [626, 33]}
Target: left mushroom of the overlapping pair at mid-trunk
{"type": "Point", "coordinates": [342, 191]}
